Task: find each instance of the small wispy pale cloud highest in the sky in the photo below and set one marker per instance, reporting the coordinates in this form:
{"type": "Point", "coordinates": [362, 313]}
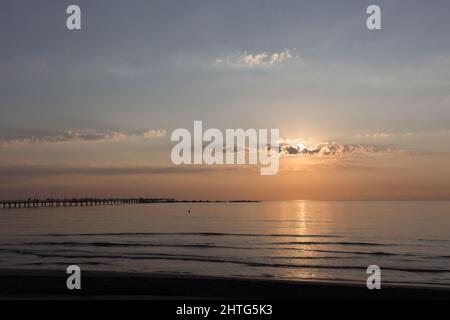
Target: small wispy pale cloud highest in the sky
{"type": "Point", "coordinates": [263, 59]}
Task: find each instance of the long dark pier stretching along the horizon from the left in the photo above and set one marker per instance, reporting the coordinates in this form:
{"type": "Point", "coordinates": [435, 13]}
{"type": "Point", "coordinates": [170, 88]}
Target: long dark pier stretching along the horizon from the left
{"type": "Point", "coordinates": [89, 202]}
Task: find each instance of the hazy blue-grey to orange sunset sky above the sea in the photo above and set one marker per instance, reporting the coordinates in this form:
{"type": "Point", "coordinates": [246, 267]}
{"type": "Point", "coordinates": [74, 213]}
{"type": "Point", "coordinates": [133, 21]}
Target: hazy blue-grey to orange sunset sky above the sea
{"type": "Point", "coordinates": [90, 112]}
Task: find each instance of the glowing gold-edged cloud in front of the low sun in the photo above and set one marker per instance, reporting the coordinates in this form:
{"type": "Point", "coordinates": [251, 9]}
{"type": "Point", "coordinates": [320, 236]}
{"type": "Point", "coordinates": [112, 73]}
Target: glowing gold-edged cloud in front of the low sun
{"type": "Point", "coordinates": [326, 149]}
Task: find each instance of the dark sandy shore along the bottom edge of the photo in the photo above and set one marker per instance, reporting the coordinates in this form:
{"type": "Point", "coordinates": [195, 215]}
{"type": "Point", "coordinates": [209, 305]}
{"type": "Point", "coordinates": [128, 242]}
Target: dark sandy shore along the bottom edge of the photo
{"type": "Point", "coordinates": [38, 284]}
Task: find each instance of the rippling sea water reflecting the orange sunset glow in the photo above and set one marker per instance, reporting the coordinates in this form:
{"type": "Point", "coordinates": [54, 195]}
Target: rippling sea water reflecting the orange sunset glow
{"type": "Point", "coordinates": [307, 240]}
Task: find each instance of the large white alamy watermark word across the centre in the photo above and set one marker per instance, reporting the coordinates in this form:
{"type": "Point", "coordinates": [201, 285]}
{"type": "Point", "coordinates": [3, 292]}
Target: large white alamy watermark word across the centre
{"type": "Point", "coordinates": [235, 146]}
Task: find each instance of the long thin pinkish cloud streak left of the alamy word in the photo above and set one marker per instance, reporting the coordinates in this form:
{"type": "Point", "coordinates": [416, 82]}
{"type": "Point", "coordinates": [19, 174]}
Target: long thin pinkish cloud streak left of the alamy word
{"type": "Point", "coordinates": [77, 137]}
